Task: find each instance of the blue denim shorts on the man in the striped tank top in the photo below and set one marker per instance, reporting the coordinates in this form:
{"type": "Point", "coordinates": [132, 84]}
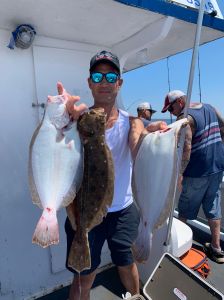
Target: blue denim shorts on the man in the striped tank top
{"type": "Point", "coordinates": [203, 191]}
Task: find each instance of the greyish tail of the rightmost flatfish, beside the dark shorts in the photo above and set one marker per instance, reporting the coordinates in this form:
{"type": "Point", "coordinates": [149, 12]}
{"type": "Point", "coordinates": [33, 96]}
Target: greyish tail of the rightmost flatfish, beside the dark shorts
{"type": "Point", "coordinates": [142, 246]}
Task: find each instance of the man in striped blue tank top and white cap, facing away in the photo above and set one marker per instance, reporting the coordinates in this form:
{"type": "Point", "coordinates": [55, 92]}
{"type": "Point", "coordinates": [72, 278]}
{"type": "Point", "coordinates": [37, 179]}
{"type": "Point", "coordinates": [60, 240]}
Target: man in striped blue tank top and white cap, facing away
{"type": "Point", "coordinates": [202, 176]}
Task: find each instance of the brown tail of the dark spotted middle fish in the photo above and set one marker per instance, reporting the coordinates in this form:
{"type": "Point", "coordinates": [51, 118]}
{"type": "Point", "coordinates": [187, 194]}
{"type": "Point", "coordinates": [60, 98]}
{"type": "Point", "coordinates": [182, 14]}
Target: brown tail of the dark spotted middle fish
{"type": "Point", "coordinates": [79, 258]}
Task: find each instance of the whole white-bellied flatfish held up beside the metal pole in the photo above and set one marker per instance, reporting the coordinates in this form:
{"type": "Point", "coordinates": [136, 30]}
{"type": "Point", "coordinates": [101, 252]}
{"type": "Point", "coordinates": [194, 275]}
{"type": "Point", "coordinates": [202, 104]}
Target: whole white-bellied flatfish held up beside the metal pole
{"type": "Point", "coordinates": [154, 176]}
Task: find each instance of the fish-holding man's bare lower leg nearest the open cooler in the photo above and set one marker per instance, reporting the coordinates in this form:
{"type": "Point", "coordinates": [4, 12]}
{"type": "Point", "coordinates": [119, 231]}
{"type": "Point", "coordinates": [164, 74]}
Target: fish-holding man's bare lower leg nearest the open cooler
{"type": "Point", "coordinates": [130, 278]}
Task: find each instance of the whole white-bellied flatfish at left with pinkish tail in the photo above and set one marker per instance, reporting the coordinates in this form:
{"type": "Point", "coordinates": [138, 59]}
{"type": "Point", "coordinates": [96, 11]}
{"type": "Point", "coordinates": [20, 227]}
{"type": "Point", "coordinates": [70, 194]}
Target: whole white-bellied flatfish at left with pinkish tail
{"type": "Point", "coordinates": [55, 167]}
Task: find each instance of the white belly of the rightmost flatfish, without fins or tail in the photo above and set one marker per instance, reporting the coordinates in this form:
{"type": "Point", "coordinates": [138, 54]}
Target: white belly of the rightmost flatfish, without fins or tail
{"type": "Point", "coordinates": [153, 173]}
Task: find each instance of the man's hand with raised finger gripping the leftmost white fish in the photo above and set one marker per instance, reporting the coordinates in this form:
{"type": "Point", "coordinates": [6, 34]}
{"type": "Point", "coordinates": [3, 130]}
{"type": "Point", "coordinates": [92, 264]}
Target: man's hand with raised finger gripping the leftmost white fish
{"type": "Point", "coordinates": [73, 110]}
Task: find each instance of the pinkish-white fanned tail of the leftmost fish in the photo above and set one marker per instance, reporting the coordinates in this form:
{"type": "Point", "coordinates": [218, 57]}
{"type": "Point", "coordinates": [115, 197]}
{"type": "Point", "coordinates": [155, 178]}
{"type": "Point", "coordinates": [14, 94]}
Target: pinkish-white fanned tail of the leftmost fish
{"type": "Point", "coordinates": [46, 232]}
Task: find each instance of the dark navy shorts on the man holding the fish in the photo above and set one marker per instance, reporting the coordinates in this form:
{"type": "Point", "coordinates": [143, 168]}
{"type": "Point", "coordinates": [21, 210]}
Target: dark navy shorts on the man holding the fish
{"type": "Point", "coordinates": [119, 228]}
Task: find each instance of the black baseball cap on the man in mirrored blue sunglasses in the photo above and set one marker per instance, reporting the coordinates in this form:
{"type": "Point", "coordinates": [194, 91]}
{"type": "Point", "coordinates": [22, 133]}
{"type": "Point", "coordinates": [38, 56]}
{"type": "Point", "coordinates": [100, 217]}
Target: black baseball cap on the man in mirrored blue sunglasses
{"type": "Point", "coordinates": [105, 56]}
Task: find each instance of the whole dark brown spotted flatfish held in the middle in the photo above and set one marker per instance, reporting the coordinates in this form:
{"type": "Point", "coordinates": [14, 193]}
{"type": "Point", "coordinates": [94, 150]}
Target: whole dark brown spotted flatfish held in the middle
{"type": "Point", "coordinates": [96, 192]}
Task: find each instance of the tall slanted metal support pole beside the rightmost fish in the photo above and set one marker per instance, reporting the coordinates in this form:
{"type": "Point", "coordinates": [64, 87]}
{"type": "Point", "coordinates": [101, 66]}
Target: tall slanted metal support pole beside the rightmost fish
{"type": "Point", "coordinates": [187, 104]}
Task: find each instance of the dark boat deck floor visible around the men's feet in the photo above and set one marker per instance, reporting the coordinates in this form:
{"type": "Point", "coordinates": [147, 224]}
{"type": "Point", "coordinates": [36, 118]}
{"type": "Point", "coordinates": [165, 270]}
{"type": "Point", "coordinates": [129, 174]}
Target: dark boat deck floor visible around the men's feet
{"type": "Point", "coordinates": [108, 286]}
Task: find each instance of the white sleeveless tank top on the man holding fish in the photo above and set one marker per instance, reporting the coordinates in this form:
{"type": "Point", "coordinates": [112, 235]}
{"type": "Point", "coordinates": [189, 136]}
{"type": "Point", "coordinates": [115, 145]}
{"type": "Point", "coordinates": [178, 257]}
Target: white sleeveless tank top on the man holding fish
{"type": "Point", "coordinates": [117, 141]}
